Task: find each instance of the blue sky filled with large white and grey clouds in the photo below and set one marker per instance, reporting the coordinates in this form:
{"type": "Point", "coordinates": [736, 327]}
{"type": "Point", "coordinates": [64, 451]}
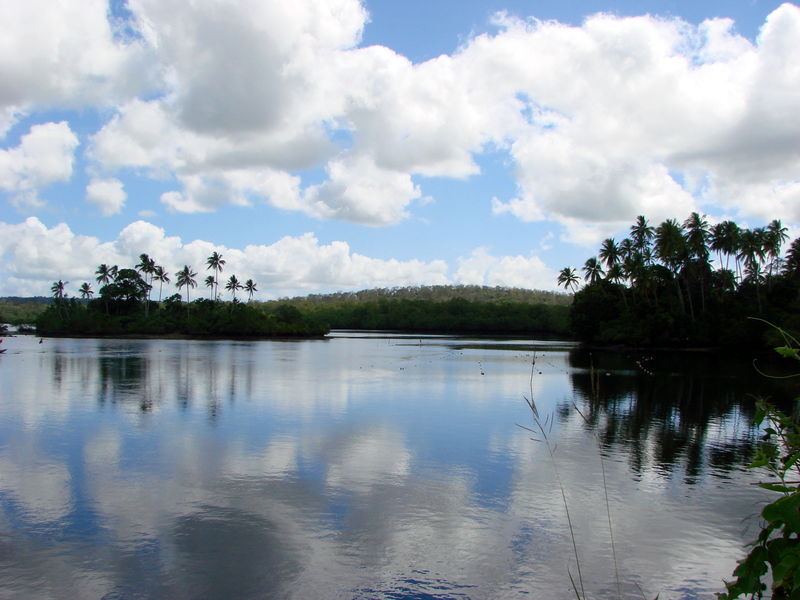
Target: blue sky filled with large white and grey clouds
{"type": "Point", "coordinates": [342, 145]}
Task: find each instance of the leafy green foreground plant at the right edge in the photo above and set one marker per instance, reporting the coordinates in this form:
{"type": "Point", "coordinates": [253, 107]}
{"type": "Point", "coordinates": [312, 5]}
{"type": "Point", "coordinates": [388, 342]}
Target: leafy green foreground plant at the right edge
{"type": "Point", "coordinates": [775, 555]}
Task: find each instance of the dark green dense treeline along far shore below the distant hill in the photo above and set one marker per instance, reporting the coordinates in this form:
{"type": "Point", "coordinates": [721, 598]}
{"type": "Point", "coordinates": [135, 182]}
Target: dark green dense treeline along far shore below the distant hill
{"type": "Point", "coordinates": [457, 315]}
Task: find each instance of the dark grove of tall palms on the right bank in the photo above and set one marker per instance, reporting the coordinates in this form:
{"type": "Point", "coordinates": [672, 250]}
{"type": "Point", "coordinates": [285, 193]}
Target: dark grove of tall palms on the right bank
{"type": "Point", "coordinates": [660, 287]}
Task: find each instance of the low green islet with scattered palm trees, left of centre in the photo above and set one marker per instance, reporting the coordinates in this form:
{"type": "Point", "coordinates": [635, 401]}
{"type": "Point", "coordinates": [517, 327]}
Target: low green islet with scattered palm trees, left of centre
{"type": "Point", "coordinates": [124, 307]}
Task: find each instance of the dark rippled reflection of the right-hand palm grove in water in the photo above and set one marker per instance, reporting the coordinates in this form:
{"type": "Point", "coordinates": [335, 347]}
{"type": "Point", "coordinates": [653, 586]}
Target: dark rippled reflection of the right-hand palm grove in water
{"type": "Point", "coordinates": [676, 413]}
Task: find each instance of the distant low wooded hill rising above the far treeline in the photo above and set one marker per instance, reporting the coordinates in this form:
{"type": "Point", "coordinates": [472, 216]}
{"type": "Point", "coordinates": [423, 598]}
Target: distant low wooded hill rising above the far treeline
{"type": "Point", "coordinates": [439, 293]}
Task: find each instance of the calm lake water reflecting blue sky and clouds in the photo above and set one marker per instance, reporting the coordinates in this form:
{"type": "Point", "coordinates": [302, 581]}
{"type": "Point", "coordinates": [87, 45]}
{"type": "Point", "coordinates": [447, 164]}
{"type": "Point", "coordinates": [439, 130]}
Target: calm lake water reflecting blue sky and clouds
{"type": "Point", "coordinates": [367, 466]}
